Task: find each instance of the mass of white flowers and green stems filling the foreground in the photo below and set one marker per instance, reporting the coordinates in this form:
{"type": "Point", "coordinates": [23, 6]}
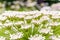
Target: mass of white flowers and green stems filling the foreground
{"type": "Point", "coordinates": [33, 25]}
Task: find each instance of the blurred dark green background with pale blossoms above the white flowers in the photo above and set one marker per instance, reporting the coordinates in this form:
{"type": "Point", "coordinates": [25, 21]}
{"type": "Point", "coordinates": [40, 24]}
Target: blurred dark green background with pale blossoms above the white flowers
{"type": "Point", "coordinates": [26, 5]}
